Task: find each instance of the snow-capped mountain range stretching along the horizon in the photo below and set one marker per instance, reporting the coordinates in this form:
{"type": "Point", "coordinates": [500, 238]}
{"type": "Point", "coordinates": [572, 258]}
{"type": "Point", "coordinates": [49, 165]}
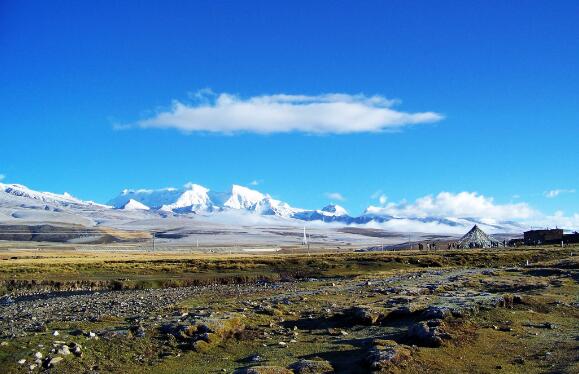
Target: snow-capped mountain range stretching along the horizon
{"type": "Point", "coordinates": [193, 200]}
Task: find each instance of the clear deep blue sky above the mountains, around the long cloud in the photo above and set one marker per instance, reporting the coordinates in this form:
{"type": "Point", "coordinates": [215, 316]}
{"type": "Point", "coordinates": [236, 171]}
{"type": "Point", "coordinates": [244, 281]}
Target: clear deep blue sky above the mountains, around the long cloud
{"type": "Point", "coordinates": [78, 80]}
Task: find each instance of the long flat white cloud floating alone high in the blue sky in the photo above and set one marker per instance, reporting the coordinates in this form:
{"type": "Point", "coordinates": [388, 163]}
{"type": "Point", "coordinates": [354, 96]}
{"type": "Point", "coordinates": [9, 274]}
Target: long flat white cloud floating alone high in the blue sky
{"type": "Point", "coordinates": [334, 113]}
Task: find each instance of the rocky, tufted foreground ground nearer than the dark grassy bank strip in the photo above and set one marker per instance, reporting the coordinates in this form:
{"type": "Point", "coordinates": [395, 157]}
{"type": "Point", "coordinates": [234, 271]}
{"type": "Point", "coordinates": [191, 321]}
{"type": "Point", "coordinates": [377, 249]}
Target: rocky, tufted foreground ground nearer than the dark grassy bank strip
{"type": "Point", "coordinates": [459, 319]}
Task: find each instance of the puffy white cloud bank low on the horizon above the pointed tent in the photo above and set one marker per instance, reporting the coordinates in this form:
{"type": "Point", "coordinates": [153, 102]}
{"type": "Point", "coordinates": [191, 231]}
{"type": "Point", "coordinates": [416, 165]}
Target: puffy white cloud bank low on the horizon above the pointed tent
{"type": "Point", "coordinates": [462, 204]}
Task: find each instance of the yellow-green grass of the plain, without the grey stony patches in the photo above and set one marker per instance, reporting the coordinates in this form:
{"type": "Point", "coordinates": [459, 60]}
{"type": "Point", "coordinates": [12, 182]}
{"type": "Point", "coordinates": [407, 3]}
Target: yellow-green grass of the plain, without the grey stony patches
{"type": "Point", "coordinates": [308, 314]}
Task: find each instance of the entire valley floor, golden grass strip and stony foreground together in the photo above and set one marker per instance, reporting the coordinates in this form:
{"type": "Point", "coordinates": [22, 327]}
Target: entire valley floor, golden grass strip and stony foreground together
{"type": "Point", "coordinates": [444, 311]}
